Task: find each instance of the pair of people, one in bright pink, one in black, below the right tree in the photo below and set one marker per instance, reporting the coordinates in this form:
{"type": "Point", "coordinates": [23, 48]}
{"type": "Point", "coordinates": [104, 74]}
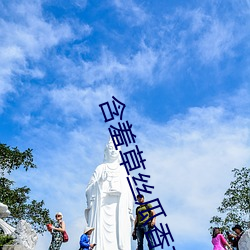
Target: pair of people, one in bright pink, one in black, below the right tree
{"type": "Point", "coordinates": [219, 241]}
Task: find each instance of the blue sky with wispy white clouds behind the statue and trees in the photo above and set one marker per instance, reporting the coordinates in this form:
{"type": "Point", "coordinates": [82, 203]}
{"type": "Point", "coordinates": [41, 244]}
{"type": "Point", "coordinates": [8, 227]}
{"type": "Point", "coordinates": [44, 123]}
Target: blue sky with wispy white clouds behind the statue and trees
{"type": "Point", "coordinates": [181, 68]}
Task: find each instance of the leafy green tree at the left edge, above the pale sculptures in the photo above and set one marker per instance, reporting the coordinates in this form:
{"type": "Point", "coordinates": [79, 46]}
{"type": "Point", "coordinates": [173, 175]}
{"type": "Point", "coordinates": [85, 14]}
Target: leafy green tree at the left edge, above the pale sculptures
{"type": "Point", "coordinates": [17, 199]}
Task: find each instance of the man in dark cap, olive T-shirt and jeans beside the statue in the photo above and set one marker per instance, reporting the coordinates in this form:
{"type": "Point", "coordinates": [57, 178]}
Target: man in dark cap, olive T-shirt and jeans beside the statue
{"type": "Point", "coordinates": [139, 228]}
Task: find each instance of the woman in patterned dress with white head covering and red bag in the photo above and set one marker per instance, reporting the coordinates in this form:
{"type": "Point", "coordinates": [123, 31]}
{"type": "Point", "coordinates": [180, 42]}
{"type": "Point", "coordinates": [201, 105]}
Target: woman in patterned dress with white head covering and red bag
{"type": "Point", "coordinates": [56, 231]}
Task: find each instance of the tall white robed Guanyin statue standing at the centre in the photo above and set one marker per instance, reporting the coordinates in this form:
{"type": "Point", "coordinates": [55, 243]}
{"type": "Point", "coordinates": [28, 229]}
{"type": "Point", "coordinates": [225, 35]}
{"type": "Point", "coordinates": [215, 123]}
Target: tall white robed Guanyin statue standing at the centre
{"type": "Point", "coordinates": [110, 203]}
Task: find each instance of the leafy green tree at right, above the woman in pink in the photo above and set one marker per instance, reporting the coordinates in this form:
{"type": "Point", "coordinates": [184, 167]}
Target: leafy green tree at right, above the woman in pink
{"type": "Point", "coordinates": [235, 207]}
